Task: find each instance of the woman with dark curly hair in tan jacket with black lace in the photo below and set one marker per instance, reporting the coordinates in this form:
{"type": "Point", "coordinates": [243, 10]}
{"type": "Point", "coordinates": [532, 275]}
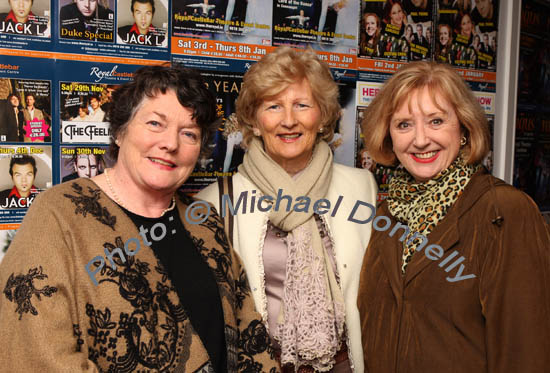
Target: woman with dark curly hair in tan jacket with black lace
{"type": "Point", "coordinates": [103, 273]}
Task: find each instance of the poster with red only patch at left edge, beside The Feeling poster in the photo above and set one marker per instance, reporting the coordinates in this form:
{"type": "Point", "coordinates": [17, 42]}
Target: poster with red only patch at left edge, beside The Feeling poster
{"type": "Point", "coordinates": [30, 101]}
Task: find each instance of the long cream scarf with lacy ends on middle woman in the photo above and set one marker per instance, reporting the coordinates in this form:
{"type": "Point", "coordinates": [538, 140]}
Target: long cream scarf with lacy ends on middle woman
{"type": "Point", "coordinates": [311, 322]}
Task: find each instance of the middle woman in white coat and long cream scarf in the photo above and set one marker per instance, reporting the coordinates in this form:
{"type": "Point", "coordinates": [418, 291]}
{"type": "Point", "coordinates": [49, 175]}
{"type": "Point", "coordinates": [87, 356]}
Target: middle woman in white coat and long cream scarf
{"type": "Point", "coordinates": [303, 263]}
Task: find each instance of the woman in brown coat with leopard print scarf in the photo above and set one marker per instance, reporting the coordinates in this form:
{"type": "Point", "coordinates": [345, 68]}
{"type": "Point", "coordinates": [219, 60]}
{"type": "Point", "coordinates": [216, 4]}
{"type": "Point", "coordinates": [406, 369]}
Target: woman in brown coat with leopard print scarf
{"type": "Point", "coordinates": [478, 297]}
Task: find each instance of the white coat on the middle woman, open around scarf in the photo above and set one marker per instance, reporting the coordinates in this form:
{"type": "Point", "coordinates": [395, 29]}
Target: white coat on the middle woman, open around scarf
{"type": "Point", "coordinates": [349, 239]}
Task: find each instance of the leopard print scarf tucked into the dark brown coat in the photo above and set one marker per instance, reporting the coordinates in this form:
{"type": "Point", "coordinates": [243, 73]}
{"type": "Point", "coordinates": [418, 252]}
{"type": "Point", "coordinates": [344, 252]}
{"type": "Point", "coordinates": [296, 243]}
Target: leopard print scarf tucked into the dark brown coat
{"type": "Point", "coordinates": [422, 205]}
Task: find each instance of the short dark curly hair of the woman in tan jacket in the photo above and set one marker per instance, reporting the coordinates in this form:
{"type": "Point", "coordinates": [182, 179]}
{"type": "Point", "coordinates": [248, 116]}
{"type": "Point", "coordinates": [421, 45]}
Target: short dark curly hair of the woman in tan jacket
{"type": "Point", "coordinates": [150, 81]}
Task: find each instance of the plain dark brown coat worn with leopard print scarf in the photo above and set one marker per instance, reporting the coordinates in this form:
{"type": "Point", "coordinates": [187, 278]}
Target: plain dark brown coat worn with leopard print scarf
{"type": "Point", "coordinates": [497, 322]}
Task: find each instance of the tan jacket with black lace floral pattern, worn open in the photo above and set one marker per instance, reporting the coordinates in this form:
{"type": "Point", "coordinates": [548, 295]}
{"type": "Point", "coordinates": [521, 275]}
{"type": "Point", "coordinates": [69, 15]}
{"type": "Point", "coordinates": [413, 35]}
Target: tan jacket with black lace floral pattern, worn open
{"type": "Point", "coordinates": [54, 319]}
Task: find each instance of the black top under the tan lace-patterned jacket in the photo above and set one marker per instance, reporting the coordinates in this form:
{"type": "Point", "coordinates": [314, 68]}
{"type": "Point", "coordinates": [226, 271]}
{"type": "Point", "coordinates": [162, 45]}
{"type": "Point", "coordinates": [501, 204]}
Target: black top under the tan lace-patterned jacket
{"type": "Point", "coordinates": [191, 276]}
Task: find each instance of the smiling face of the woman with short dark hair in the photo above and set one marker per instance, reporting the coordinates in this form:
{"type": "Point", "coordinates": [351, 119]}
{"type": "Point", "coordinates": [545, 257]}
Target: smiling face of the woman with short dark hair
{"type": "Point", "coordinates": [160, 146]}
